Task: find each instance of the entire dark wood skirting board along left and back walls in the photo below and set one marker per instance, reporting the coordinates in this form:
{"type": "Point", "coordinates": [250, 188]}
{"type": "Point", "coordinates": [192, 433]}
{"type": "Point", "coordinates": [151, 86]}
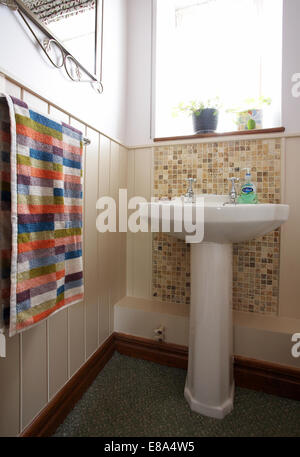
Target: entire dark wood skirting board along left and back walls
{"type": "Point", "coordinates": [249, 373]}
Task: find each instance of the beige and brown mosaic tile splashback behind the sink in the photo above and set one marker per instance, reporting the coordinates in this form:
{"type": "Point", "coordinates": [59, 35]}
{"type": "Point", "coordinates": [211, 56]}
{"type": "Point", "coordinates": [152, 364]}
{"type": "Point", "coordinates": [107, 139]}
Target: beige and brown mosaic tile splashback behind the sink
{"type": "Point", "coordinates": [255, 263]}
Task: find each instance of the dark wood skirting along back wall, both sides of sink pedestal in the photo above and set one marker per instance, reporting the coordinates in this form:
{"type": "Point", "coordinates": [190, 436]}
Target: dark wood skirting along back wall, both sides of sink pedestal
{"type": "Point", "coordinates": [252, 374]}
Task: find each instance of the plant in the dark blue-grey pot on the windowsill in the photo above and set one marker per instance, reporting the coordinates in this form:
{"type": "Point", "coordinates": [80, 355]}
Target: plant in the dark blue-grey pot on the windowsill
{"type": "Point", "coordinates": [205, 114]}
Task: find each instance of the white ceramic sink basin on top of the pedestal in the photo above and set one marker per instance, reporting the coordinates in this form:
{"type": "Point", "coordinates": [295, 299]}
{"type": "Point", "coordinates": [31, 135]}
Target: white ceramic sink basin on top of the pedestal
{"type": "Point", "coordinates": [229, 223]}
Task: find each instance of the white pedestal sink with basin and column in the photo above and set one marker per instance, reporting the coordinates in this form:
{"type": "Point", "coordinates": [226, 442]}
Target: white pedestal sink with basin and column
{"type": "Point", "coordinates": [209, 387]}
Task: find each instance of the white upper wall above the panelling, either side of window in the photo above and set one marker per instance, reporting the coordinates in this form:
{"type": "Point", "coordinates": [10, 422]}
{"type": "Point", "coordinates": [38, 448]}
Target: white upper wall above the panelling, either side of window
{"type": "Point", "coordinates": [124, 110]}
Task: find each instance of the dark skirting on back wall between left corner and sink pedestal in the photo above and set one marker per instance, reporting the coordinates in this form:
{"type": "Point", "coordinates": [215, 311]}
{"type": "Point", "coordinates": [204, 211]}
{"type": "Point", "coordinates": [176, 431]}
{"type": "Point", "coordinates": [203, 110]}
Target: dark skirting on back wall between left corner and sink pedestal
{"type": "Point", "coordinates": [169, 354]}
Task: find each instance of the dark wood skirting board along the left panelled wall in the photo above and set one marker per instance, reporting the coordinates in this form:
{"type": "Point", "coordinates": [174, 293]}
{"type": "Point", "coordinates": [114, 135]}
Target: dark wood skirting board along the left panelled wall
{"type": "Point", "coordinates": [64, 401]}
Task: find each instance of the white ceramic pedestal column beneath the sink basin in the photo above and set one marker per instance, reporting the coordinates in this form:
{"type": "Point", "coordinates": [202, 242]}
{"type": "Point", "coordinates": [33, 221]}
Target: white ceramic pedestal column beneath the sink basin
{"type": "Point", "coordinates": [209, 386]}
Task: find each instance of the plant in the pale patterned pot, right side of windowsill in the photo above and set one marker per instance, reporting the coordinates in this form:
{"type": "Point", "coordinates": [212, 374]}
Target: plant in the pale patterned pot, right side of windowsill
{"type": "Point", "coordinates": [249, 115]}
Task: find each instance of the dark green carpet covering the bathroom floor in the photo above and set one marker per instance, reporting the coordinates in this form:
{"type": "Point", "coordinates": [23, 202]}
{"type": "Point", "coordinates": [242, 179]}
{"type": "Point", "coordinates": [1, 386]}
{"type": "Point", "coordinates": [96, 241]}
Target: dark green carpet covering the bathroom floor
{"type": "Point", "coordinates": [134, 398]}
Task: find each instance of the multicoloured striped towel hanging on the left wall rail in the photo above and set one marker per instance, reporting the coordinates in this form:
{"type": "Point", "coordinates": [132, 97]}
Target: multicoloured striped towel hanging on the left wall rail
{"type": "Point", "coordinates": [42, 161]}
